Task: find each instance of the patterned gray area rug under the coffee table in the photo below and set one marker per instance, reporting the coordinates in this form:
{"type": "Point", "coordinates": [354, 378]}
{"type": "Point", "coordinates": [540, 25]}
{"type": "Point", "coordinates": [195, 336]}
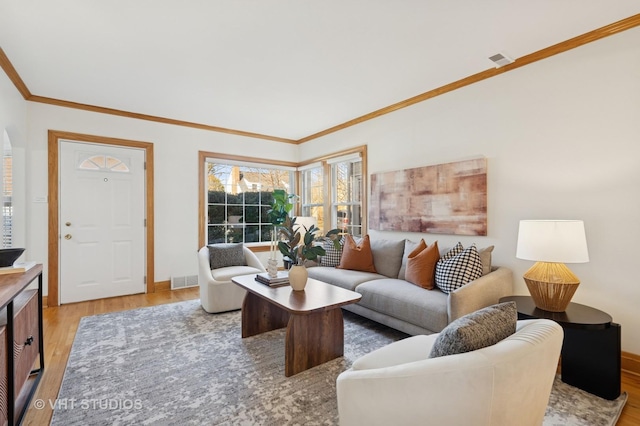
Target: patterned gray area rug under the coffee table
{"type": "Point", "coordinates": [177, 365]}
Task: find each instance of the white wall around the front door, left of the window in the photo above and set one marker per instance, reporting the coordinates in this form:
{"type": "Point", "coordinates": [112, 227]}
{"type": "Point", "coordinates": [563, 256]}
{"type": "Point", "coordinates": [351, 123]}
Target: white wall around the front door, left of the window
{"type": "Point", "coordinates": [176, 176]}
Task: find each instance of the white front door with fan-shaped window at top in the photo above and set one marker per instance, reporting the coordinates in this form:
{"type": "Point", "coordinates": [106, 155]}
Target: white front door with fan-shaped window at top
{"type": "Point", "coordinates": [102, 221]}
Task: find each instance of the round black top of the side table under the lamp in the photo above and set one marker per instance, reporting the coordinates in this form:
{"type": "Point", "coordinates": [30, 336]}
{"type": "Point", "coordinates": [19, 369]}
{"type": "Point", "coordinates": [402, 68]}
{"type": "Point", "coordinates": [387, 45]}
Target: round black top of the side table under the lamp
{"type": "Point", "coordinates": [576, 316]}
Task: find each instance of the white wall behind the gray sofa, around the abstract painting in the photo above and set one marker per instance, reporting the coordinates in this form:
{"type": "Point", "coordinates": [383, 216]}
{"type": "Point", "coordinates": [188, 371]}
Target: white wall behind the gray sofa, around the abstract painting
{"type": "Point", "coordinates": [562, 139]}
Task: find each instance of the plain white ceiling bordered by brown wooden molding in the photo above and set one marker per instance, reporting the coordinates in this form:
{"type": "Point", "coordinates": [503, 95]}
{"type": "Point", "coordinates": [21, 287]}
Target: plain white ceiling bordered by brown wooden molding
{"type": "Point", "coordinates": [283, 68]}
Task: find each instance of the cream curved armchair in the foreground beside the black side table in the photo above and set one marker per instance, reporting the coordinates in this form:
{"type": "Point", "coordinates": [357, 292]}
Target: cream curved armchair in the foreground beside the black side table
{"type": "Point", "coordinates": [508, 383]}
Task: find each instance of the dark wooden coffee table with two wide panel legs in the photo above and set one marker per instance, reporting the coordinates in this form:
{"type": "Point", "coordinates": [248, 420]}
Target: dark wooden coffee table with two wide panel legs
{"type": "Point", "coordinates": [315, 327]}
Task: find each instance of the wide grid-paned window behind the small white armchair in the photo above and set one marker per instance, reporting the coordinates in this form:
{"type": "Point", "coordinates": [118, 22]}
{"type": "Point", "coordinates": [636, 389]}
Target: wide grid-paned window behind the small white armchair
{"type": "Point", "coordinates": [238, 196]}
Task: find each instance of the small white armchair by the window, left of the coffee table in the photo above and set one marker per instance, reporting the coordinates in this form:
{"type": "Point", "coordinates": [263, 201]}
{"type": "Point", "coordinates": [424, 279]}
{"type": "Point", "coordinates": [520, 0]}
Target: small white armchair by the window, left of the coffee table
{"type": "Point", "coordinates": [217, 292]}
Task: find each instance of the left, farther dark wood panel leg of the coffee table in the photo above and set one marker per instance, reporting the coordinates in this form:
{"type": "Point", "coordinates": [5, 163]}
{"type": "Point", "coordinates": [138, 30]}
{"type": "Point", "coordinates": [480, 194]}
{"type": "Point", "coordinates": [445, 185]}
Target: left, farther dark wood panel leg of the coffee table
{"type": "Point", "coordinates": [259, 316]}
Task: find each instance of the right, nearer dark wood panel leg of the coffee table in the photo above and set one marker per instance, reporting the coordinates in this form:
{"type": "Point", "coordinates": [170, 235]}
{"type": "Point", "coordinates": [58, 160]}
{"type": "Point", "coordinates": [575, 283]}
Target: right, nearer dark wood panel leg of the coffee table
{"type": "Point", "coordinates": [313, 339]}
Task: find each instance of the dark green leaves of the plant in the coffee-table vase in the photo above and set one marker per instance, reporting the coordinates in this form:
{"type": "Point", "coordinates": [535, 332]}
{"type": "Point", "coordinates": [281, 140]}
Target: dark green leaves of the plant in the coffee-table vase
{"type": "Point", "coordinates": [299, 249]}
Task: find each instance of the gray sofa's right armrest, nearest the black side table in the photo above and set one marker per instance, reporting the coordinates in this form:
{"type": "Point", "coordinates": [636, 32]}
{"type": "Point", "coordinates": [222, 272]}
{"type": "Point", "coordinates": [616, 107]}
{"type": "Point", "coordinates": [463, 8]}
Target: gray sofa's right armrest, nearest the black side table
{"type": "Point", "coordinates": [485, 291]}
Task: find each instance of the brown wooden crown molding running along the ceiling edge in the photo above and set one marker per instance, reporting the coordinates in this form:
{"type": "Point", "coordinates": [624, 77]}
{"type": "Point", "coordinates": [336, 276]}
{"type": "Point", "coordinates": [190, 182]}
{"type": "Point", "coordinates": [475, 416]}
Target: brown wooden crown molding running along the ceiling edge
{"type": "Point", "coordinates": [597, 34]}
